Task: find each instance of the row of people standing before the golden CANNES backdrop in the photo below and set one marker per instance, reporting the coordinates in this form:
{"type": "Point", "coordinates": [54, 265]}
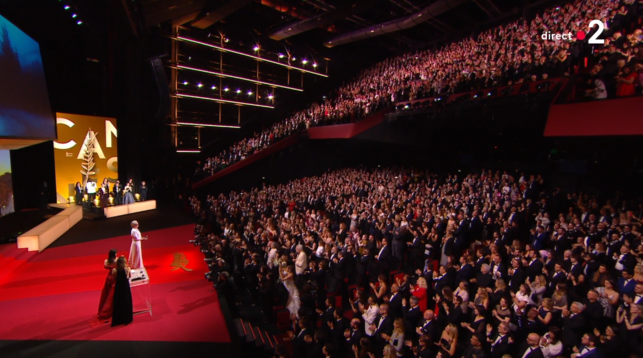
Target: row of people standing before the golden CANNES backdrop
{"type": "Point", "coordinates": [121, 195]}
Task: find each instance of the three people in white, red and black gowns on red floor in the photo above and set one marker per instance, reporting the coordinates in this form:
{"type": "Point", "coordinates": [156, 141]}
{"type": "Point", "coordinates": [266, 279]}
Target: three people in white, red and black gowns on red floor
{"type": "Point", "coordinates": [116, 297]}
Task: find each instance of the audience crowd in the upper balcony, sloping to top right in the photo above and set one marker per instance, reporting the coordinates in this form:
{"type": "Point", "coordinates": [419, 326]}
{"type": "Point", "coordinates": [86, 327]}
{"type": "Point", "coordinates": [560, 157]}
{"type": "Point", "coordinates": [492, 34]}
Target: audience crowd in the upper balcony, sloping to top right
{"type": "Point", "coordinates": [508, 54]}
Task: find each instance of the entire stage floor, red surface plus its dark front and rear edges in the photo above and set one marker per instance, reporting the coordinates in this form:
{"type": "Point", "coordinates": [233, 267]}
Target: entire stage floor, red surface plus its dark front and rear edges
{"type": "Point", "coordinates": [48, 298]}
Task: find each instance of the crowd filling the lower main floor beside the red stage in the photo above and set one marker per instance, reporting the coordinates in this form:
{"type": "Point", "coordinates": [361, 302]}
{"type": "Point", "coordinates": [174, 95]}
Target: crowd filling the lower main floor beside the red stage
{"type": "Point", "coordinates": [479, 265]}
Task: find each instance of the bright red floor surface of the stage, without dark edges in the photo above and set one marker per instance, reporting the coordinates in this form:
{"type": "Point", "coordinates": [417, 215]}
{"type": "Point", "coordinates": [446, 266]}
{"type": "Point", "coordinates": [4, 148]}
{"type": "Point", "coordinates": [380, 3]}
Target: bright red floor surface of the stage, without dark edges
{"type": "Point", "coordinates": [52, 295]}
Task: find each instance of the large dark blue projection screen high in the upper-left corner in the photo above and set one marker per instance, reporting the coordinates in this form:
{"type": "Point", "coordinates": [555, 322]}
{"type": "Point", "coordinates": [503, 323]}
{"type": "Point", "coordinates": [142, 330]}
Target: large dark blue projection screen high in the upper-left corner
{"type": "Point", "coordinates": [25, 112]}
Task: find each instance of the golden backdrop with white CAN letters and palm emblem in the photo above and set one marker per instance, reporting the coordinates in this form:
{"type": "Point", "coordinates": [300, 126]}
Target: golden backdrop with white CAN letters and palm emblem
{"type": "Point", "coordinates": [74, 137]}
